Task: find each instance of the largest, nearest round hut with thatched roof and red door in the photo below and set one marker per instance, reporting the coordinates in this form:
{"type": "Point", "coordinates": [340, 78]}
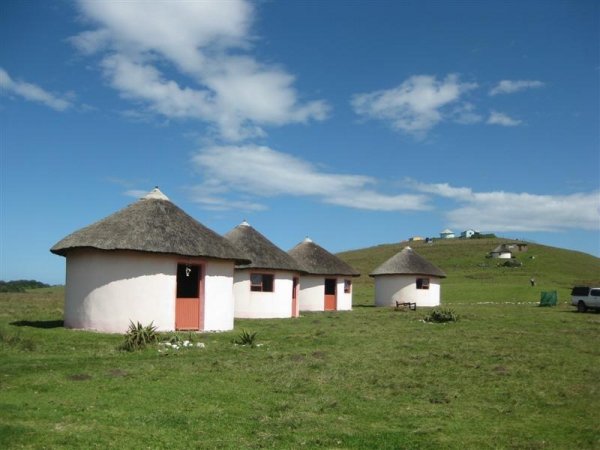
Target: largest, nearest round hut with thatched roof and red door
{"type": "Point", "coordinates": [149, 262]}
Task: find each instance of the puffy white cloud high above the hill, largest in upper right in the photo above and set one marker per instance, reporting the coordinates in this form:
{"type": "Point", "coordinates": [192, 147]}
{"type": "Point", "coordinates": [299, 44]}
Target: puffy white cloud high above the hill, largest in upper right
{"type": "Point", "coordinates": [416, 105]}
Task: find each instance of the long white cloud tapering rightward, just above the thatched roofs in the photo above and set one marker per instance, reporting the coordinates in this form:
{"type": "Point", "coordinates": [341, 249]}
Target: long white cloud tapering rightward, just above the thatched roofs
{"type": "Point", "coordinates": [259, 171]}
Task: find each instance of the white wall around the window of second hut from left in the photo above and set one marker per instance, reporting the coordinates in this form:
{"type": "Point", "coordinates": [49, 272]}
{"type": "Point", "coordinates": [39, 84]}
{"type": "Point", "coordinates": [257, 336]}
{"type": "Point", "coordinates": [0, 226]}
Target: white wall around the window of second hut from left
{"type": "Point", "coordinates": [263, 305]}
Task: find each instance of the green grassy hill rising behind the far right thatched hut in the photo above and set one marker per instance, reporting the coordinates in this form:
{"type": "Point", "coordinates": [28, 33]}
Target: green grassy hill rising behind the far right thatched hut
{"type": "Point", "coordinates": [474, 278]}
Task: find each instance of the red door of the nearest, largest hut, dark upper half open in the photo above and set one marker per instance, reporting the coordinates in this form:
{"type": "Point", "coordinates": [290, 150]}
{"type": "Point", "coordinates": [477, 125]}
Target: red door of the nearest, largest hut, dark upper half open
{"type": "Point", "coordinates": [189, 304]}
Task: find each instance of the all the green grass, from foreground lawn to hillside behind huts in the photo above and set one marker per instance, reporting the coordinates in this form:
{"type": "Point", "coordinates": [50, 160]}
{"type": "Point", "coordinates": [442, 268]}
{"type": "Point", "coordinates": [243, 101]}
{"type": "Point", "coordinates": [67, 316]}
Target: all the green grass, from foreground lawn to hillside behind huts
{"type": "Point", "coordinates": [505, 375]}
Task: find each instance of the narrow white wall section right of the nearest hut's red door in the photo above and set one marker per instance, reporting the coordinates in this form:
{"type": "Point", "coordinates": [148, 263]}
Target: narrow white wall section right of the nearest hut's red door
{"type": "Point", "coordinates": [218, 296]}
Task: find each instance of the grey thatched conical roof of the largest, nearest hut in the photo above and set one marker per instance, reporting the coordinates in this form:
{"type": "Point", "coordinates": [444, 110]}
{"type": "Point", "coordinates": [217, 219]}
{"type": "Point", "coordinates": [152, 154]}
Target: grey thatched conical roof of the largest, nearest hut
{"type": "Point", "coordinates": [152, 224]}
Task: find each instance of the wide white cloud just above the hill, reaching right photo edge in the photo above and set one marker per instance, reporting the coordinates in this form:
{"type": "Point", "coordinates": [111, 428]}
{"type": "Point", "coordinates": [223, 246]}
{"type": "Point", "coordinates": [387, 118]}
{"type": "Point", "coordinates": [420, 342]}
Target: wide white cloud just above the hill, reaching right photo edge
{"type": "Point", "coordinates": [508, 211]}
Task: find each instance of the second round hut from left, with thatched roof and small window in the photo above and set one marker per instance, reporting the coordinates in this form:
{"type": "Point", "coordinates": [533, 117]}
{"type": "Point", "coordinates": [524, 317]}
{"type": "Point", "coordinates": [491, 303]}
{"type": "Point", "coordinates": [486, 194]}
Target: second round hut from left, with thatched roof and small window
{"type": "Point", "coordinates": [267, 287]}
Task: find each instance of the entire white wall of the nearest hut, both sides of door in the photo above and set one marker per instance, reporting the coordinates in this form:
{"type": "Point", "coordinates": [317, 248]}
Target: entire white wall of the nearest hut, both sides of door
{"type": "Point", "coordinates": [105, 290]}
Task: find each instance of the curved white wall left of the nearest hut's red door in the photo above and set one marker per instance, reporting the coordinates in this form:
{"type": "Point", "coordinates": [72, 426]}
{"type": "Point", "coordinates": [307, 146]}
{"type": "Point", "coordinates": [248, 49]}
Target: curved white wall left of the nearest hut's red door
{"type": "Point", "coordinates": [107, 290]}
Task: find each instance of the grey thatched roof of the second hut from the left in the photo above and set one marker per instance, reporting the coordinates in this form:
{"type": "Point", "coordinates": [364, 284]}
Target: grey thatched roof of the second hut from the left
{"type": "Point", "coordinates": [262, 253]}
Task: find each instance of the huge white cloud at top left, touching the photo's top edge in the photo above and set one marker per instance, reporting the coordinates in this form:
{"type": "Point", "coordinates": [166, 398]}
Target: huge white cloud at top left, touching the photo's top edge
{"type": "Point", "coordinates": [207, 43]}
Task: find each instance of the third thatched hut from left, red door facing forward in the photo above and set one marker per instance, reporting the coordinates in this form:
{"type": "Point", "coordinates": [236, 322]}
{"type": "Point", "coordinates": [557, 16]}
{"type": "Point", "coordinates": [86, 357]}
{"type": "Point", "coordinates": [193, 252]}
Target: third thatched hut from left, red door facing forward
{"type": "Point", "coordinates": [326, 284]}
